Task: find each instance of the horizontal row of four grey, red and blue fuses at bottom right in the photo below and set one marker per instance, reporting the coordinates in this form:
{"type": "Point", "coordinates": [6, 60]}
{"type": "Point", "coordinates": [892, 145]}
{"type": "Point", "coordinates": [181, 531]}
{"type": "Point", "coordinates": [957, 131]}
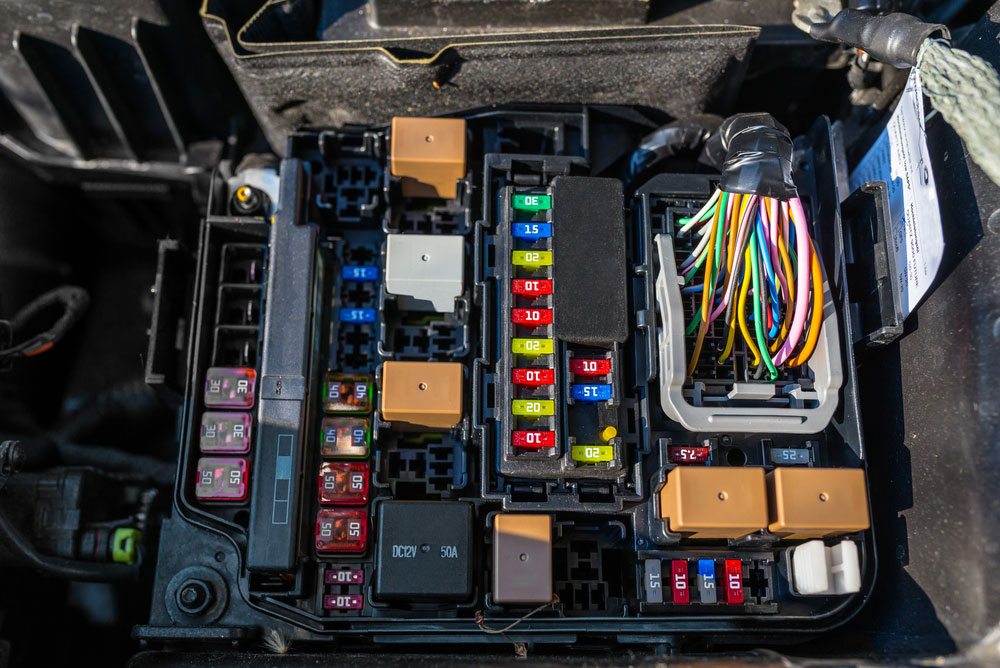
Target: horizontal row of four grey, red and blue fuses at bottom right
{"type": "Point", "coordinates": [680, 582]}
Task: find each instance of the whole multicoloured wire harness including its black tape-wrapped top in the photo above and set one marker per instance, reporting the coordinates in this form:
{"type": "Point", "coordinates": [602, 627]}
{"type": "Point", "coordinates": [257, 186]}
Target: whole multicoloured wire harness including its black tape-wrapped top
{"type": "Point", "coordinates": [756, 262]}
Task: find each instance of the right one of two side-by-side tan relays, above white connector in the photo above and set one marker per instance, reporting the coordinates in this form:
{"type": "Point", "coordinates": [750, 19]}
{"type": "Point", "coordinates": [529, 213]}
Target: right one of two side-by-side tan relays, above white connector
{"type": "Point", "coordinates": [815, 503]}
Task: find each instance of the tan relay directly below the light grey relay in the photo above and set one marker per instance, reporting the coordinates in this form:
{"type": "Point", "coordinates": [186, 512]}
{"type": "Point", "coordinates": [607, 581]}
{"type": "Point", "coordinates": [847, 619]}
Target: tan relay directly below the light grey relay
{"type": "Point", "coordinates": [422, 394]}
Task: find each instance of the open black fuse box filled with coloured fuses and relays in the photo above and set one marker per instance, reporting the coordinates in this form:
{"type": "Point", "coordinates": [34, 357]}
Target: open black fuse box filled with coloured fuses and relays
{"type": "Point", "coordinates": [430, 396]}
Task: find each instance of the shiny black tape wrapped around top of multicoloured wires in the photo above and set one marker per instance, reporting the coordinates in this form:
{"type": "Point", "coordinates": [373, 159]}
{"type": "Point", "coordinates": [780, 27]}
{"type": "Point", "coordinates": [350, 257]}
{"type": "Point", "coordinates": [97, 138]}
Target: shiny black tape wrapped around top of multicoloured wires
{"type": "Point", "coordinates": [758, 156]}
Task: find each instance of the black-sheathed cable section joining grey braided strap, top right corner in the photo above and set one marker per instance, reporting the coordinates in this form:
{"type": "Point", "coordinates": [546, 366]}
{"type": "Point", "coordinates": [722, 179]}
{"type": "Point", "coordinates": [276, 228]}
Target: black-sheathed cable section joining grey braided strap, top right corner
{"type": "Point", "coordinates": [894, 39]}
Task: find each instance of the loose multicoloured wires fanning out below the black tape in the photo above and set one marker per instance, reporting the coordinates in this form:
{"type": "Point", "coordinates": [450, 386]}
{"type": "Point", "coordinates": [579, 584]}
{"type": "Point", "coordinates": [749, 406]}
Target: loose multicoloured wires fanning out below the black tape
{"type": "Point", "coordinates": [755, 249]}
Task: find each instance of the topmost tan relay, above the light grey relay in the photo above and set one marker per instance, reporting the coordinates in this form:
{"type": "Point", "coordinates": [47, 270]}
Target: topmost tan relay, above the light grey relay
{"type": "Point", "coordinates": [428, 154]}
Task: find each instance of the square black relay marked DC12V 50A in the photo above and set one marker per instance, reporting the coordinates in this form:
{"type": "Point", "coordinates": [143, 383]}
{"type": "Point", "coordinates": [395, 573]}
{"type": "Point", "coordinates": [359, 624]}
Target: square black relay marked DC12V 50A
{"type": "Point", "coordinates": [426, 551]}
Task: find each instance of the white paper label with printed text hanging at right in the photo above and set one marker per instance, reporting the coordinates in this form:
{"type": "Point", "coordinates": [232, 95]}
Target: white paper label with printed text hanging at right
{"type": "Point", "coordinates": [899, 157]}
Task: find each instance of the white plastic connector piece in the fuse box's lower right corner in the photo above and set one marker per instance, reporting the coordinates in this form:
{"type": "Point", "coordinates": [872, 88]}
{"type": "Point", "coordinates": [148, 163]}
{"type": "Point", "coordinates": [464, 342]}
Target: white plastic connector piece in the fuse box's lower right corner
{"type": "Point", "coordinates": [818, 570]}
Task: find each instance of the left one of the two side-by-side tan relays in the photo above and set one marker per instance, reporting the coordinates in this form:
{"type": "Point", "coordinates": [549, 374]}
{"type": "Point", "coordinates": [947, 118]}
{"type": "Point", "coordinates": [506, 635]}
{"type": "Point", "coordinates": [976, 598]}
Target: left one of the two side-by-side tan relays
{"type": "Point", "coordinates": [714, 502]}
